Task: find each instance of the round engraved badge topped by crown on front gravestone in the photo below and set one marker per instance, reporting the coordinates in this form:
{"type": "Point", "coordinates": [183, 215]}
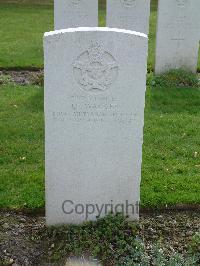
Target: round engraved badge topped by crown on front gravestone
{"type": "Point", "coordinates": [95, 69]}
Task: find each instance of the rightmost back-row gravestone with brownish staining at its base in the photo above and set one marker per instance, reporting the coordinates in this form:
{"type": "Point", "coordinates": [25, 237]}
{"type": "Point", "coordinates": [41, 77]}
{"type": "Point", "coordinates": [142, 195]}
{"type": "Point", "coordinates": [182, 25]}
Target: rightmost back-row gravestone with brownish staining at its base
{"type": "Point", "coordinates": [177, 35]}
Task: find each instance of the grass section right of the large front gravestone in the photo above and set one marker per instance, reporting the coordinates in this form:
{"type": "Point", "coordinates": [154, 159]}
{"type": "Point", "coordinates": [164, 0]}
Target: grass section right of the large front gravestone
{"type": "Point", "coordinates": [171, 152]}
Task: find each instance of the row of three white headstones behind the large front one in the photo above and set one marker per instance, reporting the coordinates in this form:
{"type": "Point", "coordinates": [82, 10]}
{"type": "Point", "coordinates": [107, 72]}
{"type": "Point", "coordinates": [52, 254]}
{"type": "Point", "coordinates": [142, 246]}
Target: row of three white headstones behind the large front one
{"type": "Point", "coordinates": [178, 25]}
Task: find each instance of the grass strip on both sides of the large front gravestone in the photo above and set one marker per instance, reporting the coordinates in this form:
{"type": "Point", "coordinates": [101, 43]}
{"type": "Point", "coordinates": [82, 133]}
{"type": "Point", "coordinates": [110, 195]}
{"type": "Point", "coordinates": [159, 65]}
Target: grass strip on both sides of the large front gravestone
{"type": "Point", "coordinates": [171, 151]}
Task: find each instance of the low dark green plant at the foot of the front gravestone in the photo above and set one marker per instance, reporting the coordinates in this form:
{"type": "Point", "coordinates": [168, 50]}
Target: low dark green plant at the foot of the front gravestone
{"type": "Point", "coordinates": [111, 239]}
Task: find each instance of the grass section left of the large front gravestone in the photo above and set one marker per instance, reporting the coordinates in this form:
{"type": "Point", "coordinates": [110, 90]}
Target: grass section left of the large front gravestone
{"type": "Point", "coordinates": [21, 147]}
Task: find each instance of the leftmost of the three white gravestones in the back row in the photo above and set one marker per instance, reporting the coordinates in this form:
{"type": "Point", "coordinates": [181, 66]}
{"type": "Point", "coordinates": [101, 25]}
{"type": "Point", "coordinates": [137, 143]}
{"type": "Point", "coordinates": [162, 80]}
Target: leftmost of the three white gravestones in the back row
{"type": "Point", "coordinates": [75, 13]}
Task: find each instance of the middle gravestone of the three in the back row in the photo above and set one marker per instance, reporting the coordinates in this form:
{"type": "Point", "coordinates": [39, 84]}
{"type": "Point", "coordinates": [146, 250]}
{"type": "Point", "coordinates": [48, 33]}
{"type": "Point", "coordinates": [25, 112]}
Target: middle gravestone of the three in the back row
{"type": "Point", "coordinates": [128, 14]}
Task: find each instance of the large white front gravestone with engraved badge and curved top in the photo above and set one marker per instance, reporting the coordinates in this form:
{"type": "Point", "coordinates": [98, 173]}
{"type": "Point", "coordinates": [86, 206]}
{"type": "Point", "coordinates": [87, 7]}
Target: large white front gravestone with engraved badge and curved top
{"type": "Point", "coordinates": [94, 115]}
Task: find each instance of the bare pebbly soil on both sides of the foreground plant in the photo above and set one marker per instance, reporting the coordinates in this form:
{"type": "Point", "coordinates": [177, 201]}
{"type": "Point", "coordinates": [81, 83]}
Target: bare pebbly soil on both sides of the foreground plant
{"type": "Point", "coordinates": [21, 242]}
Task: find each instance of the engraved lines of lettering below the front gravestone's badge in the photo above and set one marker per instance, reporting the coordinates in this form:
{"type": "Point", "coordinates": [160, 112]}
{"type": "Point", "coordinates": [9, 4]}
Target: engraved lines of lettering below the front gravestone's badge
{"type": "Point", "coordinates": [94, 109]}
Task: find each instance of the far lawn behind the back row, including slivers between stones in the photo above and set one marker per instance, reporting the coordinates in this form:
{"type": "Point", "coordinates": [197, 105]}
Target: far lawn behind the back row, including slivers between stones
{"type": "Point", "coordinates": [23, 25]}
